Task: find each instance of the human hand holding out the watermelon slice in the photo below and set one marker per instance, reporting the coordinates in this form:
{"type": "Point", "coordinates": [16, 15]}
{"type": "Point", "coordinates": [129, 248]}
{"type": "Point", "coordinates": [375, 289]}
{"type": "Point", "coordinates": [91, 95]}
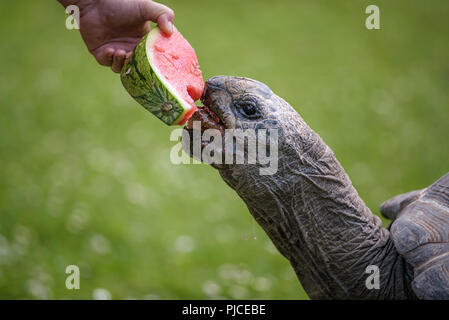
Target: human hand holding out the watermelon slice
{"type": "Point", "coordinates": [112, 28]}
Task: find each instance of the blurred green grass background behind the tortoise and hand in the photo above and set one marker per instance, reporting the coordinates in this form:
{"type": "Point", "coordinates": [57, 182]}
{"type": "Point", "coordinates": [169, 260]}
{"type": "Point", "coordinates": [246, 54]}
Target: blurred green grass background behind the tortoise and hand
{"type": "Point", "coordinates": [85, 176]}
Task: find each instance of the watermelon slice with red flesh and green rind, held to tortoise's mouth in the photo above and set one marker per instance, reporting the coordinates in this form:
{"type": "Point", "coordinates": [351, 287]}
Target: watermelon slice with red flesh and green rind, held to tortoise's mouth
{"type": "Point", "coordinates": [163, 75]}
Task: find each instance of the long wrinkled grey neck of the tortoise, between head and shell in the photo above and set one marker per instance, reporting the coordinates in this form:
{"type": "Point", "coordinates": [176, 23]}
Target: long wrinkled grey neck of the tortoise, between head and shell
{"type": "Point", "coordinates": [315, 217]}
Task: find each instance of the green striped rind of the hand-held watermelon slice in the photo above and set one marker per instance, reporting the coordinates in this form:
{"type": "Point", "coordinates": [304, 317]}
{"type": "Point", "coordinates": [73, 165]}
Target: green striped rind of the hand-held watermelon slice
{"type": "Point", "coordinates": [149, 87]}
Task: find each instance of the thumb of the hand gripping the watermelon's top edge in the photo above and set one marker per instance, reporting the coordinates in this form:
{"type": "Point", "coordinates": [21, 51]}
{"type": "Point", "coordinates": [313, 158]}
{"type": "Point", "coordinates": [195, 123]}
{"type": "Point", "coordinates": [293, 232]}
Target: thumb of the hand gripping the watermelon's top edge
{"type": "Point", "coordinates": [158, 13]}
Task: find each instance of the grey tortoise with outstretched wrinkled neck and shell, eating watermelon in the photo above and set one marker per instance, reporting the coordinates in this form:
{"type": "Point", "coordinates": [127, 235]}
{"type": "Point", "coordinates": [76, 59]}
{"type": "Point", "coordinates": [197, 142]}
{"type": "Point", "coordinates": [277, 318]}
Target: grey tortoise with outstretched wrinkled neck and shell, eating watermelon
{"type": "Point", "coordinates": [315, 217]}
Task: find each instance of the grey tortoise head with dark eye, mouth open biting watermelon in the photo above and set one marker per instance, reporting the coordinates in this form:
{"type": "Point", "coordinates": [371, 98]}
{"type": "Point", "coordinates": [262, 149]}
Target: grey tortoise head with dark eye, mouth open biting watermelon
{"type": "Point", "coordinates": [244, 113]}
